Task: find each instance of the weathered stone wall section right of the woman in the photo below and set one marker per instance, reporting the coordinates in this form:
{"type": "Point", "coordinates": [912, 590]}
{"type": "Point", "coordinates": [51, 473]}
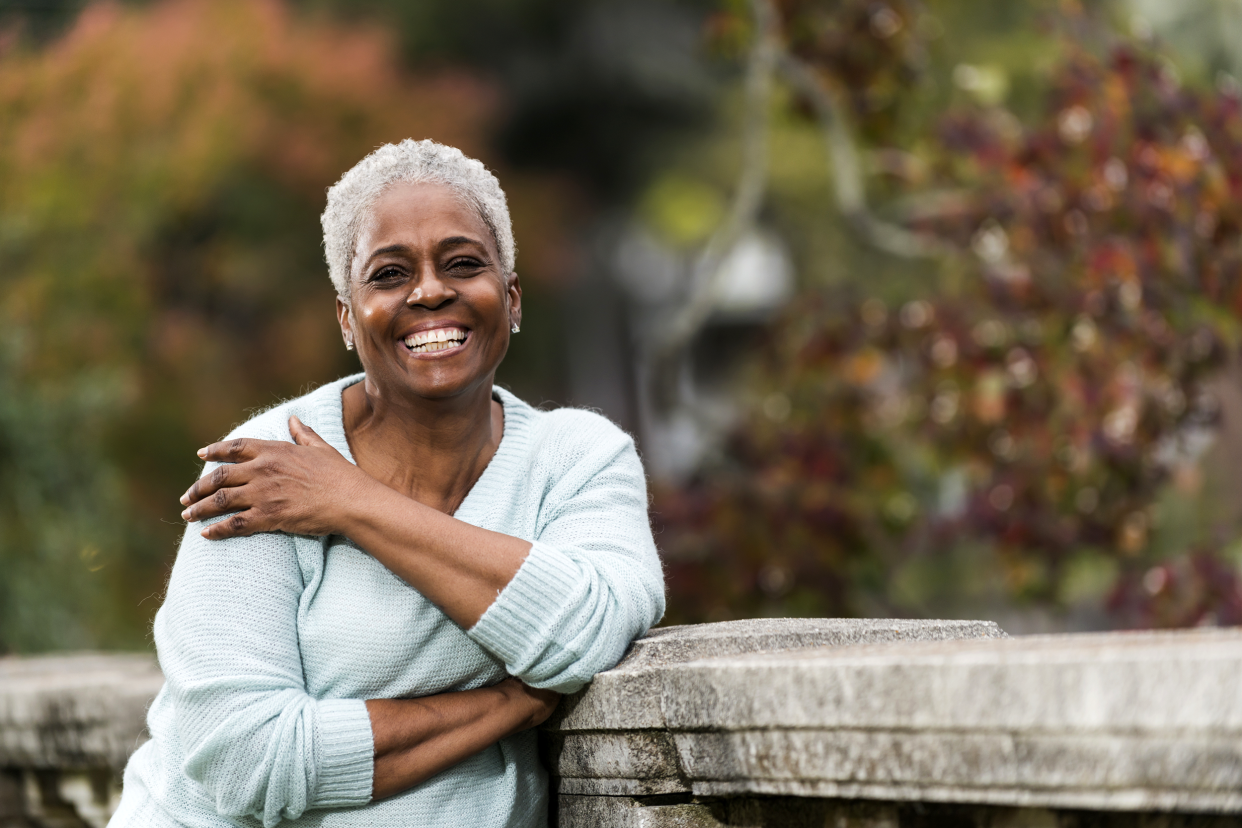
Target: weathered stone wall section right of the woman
{"type": "Point", "coordinates": [1118, 729]}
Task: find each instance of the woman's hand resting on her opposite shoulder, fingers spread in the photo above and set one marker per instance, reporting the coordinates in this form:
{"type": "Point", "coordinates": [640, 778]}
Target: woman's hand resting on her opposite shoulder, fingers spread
{"type": "Point", "coordinates": [300, 488]}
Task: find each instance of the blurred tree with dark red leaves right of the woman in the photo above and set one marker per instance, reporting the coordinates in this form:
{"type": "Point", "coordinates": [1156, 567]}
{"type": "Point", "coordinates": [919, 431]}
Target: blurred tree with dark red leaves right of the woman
{"type": "Point", "coordinates": [1018, 413]}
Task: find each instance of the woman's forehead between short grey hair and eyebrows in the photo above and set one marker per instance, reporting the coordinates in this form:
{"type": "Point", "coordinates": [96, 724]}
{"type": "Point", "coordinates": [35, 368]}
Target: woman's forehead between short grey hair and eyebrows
{"type": "Point", "coordinates": [418, 215]}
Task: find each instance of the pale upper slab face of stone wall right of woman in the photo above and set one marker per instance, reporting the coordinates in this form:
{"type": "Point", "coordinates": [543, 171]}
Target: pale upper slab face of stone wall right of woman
{"type": "Point", "coordinates": [1176, 683]}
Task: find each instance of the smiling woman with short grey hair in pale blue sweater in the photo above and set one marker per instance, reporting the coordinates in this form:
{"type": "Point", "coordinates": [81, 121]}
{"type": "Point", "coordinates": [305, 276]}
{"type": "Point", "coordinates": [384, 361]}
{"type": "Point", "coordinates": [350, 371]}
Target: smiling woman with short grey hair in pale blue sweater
{"type": "Point", "coordinates": [387, 583]}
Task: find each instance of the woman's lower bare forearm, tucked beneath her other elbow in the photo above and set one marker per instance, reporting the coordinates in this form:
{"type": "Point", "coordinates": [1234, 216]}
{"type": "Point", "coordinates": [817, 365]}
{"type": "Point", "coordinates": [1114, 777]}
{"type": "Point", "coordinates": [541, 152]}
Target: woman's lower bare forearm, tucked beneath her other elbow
{"type": "Point", "coordinates": [415, 739]}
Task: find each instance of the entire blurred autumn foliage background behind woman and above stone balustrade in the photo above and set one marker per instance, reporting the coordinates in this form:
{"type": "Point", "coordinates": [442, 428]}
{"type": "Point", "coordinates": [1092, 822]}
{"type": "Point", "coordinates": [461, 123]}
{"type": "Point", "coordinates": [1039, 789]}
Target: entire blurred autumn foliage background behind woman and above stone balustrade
{"type": "Point", "coordinates": [1000, 380]}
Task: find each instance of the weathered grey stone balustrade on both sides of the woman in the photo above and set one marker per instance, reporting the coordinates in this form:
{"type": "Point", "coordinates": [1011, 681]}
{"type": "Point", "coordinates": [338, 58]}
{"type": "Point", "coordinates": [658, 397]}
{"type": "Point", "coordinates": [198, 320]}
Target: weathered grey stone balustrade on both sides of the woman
{"type": "Point", "coordinates": [853, 724]}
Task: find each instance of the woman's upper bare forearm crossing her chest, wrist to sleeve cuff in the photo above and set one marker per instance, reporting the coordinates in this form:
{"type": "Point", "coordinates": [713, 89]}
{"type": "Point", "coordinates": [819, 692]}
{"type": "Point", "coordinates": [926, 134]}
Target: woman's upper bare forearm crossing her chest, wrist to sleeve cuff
{"type": "Point", "coordinates": [458, 567]}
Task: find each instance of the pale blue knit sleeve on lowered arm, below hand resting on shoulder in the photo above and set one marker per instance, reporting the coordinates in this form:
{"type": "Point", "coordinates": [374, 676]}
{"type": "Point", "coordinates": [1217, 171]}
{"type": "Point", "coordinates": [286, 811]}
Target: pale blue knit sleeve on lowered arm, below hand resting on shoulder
{"type": "Point", "coordinates": [252, 736]}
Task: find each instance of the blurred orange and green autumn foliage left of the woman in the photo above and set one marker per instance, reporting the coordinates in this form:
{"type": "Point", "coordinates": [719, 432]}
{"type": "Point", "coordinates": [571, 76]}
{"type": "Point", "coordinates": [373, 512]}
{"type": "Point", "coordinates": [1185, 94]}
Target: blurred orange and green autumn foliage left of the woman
{"type": "Point", "coordinates": [162, 172]}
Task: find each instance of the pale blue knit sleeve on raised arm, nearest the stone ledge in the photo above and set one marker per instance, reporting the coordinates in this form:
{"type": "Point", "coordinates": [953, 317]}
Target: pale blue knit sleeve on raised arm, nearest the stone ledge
{"type": "Point", "coordinates": [592, 584]}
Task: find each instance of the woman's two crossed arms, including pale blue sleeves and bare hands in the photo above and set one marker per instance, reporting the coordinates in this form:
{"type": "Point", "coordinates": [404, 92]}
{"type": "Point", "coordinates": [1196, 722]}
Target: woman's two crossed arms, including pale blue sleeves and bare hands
{"type": "Point", "coordinates": [555, 611]}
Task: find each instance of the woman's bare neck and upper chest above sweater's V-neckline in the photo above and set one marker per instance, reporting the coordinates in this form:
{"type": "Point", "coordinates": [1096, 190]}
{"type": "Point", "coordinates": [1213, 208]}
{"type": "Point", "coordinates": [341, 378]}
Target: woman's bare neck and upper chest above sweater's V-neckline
{"type": "Point", "coordinates": [432, 451]}
